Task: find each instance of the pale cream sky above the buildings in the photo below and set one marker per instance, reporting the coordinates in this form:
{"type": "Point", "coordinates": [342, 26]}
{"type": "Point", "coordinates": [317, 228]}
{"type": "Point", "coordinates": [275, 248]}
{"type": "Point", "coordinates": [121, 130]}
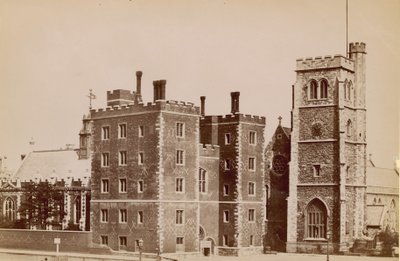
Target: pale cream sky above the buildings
{"type": "Point", "coordinates": [53, 52]}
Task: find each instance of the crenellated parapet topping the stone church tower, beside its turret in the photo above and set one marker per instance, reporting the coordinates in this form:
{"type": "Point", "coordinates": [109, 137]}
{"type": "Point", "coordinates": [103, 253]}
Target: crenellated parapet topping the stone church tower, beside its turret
{"type": "Point", "coordinates": [326, 62]}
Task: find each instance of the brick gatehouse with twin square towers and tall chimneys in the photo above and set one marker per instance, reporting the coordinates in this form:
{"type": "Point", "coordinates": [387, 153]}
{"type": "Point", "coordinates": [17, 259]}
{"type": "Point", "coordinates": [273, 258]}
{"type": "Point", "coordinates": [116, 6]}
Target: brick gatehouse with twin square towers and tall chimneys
{"type": "Point", "coordinates": [165, 173]}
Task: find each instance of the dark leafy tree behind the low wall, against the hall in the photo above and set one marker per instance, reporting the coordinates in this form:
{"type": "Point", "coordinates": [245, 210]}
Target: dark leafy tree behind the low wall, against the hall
{"type": "Point", "coordinates": [42, 203]}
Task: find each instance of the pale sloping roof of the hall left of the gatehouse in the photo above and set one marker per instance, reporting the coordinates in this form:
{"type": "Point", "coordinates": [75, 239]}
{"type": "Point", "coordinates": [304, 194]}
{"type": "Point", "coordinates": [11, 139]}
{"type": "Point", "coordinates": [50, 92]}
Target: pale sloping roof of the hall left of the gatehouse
{"type": "Point", "coordinates": [58, 164]}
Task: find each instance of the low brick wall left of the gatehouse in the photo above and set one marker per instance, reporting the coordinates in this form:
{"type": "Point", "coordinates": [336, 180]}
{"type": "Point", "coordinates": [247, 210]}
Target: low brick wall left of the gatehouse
{"type": "Point", "coordinates": [71, 241]}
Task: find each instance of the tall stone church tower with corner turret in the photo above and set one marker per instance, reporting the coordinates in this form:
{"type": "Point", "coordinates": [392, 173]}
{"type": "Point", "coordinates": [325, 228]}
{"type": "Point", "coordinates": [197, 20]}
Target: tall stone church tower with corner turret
{"type": "Point", "coordinates": [328, 152]}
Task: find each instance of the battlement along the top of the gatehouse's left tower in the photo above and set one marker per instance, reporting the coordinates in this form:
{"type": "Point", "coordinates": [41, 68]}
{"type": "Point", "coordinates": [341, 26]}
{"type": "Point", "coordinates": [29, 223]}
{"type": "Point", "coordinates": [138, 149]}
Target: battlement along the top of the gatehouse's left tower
{"type": "Point", "coordinates": [159, 105]}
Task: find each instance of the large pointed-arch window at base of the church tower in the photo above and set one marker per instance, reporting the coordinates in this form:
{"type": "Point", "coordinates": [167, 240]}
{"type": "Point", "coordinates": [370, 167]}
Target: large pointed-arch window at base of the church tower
{"type": "Point", "coordinates": [316, 219]}
